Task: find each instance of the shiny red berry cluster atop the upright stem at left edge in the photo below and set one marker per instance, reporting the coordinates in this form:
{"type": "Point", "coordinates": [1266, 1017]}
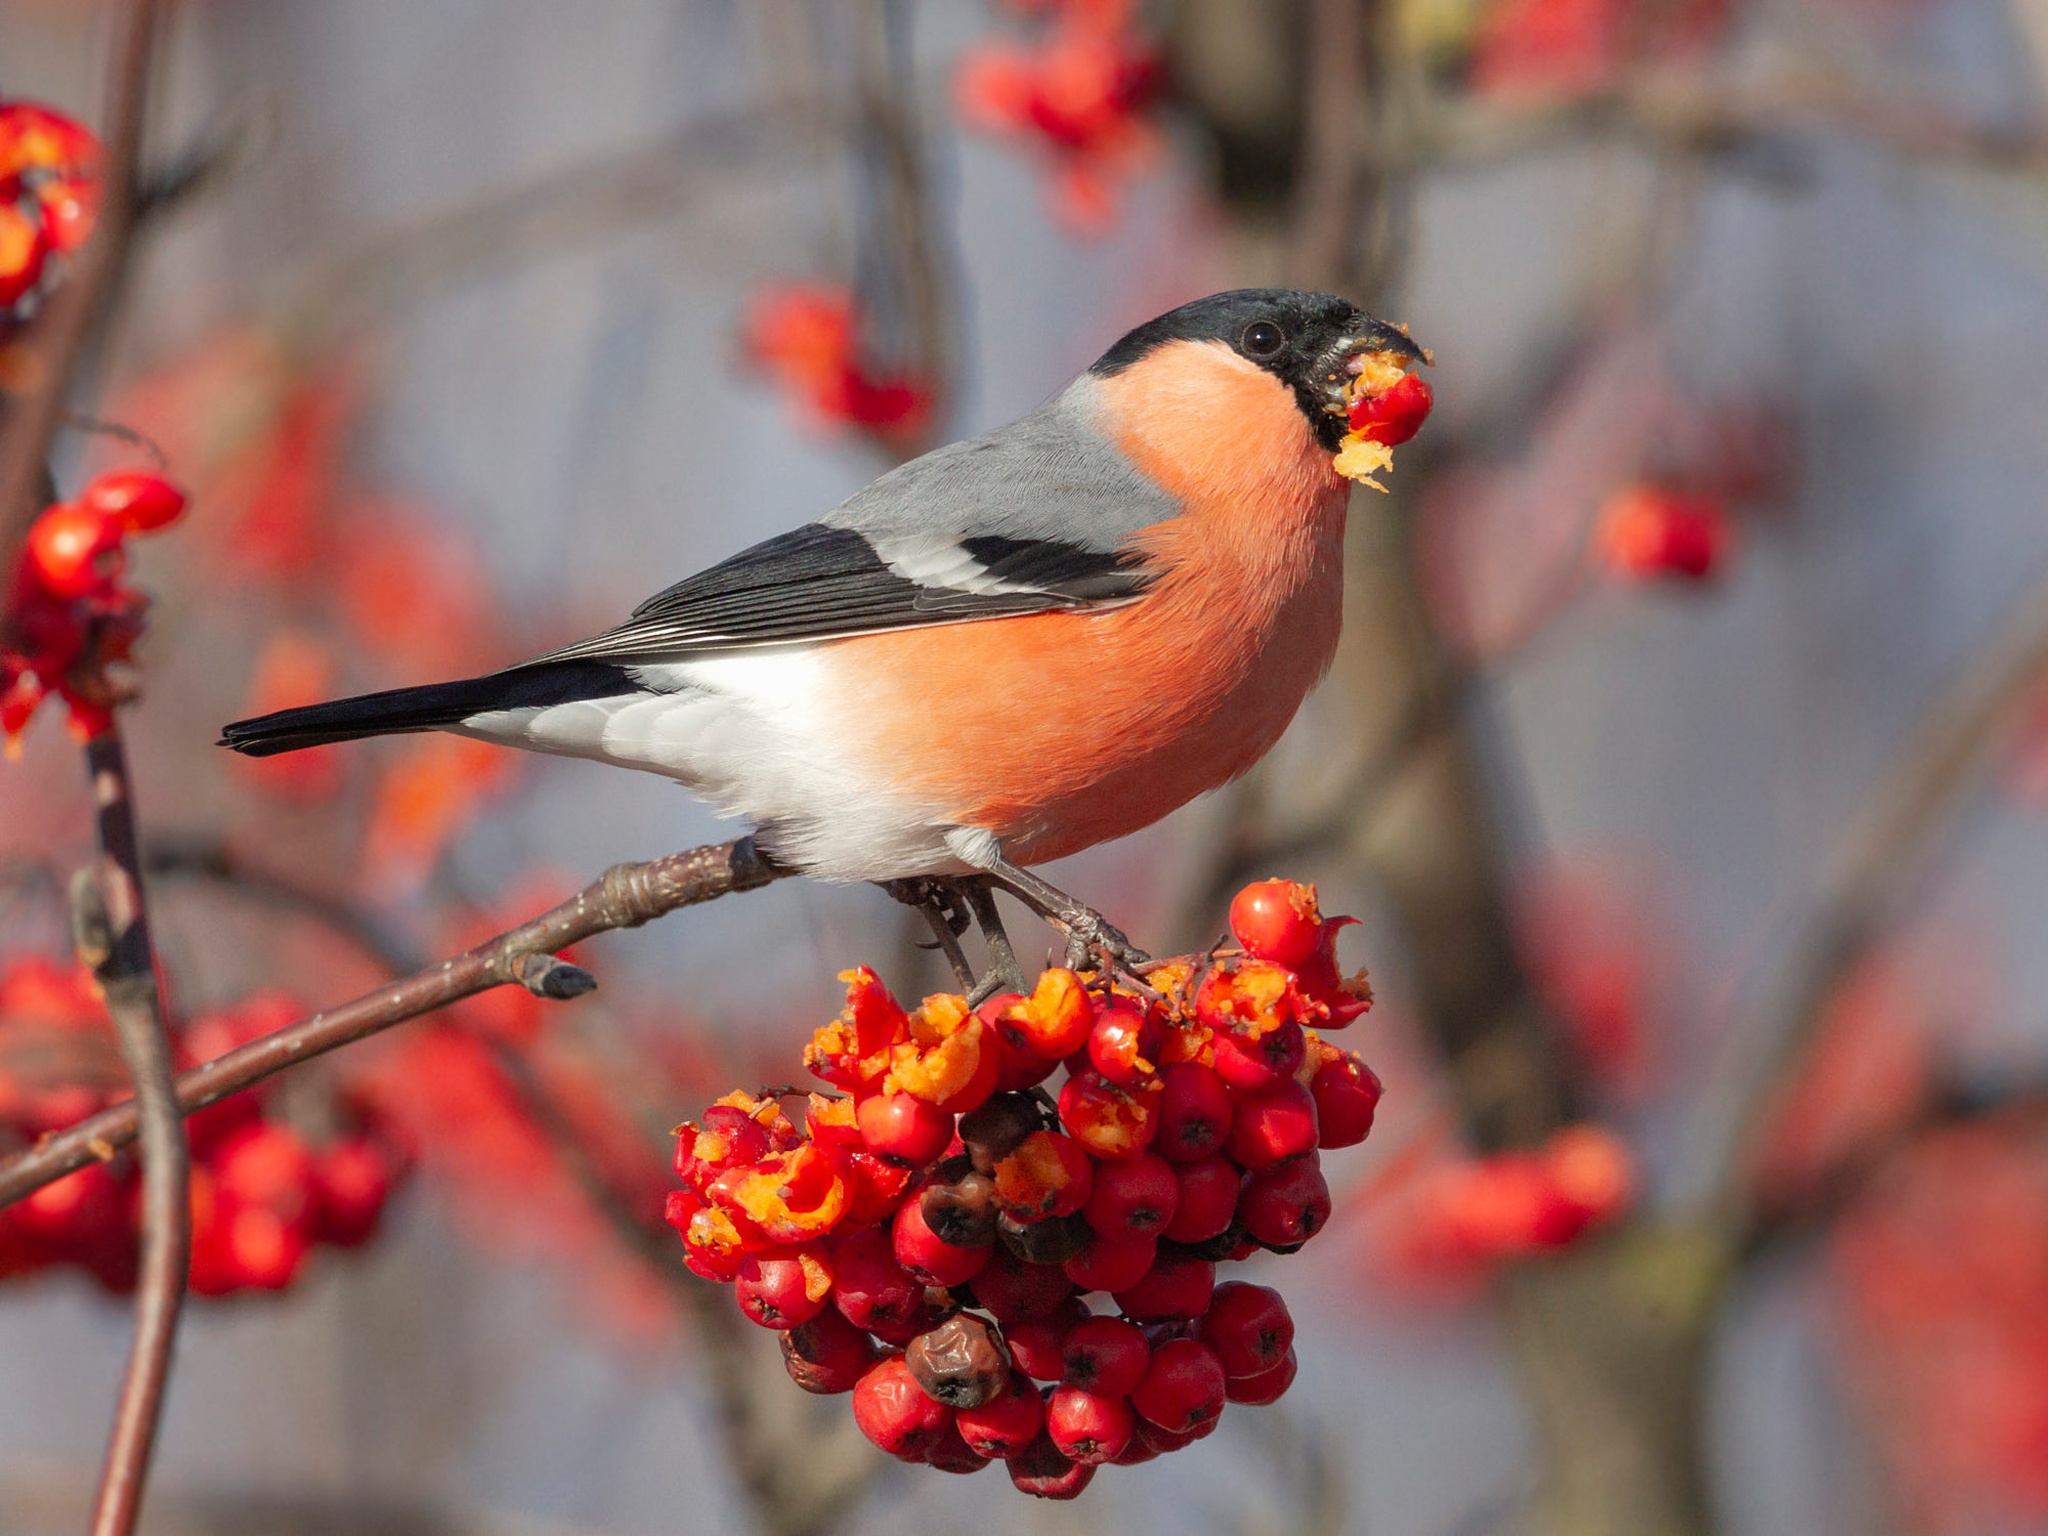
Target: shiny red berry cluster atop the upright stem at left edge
{"type": "Point", "coordinates": [71, 613]}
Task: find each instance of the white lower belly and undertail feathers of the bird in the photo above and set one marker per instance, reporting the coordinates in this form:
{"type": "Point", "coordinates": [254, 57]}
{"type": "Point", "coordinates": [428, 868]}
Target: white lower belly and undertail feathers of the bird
{"type": "Point", "coordinates": [753, 734]}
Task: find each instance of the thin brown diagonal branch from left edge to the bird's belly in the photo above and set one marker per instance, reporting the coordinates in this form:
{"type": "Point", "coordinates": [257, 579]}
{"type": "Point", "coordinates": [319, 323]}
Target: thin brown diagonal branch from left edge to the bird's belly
{"type": "Point", "coordinates": [628, 896]}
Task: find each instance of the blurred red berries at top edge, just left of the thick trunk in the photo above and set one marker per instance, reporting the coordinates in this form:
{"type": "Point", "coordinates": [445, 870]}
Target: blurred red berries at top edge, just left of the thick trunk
{"type": "Point", "coordinates": [1082, 93]}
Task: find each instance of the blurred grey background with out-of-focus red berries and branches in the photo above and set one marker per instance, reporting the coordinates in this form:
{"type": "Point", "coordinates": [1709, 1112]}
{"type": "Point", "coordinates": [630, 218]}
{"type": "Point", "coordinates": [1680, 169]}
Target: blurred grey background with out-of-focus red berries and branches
{"type": "Point", "coordinates": [1687, 757]}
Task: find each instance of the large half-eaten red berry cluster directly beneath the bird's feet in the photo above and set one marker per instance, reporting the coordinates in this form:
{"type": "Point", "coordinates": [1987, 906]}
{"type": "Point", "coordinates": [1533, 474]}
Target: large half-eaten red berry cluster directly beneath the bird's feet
{"type": "Point", "coordinates": [927, 1240]}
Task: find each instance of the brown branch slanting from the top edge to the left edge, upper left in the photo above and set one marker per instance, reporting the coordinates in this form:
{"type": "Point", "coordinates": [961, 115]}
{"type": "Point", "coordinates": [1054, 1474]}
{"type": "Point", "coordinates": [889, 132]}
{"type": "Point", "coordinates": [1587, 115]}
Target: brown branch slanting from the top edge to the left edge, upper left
{"type": "Point", "coordinates": [58, 339]}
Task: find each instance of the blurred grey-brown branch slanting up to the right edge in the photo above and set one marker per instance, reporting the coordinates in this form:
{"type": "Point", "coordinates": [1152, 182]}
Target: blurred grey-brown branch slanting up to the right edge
{"type": "Point", "coordinates": [1893, 843]}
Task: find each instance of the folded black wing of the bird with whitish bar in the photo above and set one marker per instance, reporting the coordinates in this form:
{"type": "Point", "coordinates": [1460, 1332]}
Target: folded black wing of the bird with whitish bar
{"type": "Point", "coordinates": [824, 583]}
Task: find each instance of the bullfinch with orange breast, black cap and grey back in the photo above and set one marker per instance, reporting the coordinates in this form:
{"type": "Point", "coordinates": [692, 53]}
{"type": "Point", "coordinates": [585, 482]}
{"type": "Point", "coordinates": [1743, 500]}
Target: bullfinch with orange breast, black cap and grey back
{"type": "Point", "coordinates": [998, 654]}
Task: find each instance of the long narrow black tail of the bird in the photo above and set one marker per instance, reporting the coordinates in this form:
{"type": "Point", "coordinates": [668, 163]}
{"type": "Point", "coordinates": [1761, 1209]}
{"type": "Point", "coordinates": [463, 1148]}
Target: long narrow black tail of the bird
{"type": "Point", "coordinates": [429, 708]}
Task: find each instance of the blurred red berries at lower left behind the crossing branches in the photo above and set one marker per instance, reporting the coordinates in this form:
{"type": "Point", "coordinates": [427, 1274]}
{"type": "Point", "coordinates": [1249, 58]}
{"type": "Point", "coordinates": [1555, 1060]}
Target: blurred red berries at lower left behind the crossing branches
{"type": "Point", "coordinates": [263, 1193]}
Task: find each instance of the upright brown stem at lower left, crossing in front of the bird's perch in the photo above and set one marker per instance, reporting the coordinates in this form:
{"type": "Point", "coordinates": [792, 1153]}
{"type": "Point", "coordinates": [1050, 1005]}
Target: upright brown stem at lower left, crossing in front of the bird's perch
{"type": "Point", "coordinates": [114, 939]}
